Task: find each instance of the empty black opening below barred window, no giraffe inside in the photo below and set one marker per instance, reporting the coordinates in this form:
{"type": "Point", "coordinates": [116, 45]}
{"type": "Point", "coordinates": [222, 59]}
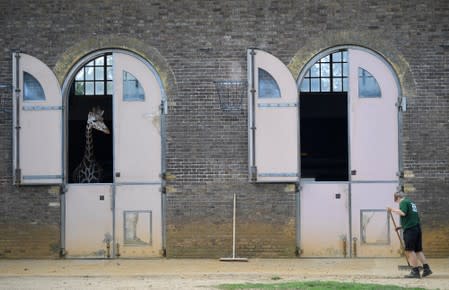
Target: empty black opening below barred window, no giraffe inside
{"type": "Point", "coordinates": [324, 136]}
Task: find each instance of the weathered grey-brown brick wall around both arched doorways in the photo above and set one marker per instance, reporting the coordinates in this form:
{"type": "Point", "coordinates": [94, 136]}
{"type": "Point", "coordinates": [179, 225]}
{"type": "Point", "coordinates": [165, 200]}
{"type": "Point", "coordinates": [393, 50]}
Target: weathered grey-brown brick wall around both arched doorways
{"type": "Point", "coordinates": [201, 41]}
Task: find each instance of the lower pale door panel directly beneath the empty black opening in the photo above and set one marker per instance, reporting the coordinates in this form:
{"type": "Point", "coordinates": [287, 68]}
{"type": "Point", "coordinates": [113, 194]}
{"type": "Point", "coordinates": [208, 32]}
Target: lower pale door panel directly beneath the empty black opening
{"type": "Point", "coordinates": [324, 219]}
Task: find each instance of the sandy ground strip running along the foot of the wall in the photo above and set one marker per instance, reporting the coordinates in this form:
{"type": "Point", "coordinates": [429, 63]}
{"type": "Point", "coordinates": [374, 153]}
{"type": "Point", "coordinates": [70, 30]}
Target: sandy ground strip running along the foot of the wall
{"type": "Point", "coordinates": [206, 273]}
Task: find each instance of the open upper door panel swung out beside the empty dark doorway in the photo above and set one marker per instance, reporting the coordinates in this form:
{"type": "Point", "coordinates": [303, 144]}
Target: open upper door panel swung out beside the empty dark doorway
{"type": "Point", "coordinates": [273, 120]}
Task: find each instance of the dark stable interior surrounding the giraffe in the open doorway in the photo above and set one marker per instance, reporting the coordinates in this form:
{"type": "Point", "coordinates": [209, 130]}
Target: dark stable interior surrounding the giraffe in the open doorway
{"type": "Point", "coordinates": [79, 107]}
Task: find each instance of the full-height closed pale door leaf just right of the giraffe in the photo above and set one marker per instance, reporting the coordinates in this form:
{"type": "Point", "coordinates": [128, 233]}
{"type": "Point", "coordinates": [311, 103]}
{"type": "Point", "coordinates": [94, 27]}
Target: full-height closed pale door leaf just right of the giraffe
{"type": "Point", "coordinates": [137, 156]}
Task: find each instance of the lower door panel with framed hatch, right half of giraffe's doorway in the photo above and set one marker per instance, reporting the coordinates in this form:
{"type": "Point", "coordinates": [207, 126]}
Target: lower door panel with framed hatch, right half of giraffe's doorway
{"type": "Point", "coordinates": [138, 220]}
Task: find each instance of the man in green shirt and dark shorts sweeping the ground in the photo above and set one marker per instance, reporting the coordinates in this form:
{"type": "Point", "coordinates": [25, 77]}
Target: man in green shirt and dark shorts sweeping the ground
{"type": "Point", "coordinates": [410, 223]}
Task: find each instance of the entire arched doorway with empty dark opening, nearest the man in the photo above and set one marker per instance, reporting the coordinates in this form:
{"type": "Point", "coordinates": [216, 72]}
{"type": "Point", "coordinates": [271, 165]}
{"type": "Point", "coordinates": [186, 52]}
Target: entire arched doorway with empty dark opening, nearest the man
{"type": "Point", "coordinates": [349, 154]}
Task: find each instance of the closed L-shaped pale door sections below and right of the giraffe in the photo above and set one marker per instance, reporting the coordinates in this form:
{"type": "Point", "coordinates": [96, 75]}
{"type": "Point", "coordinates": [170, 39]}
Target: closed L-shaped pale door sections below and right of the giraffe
{"type": "Point", "coordinates": [123, 219]}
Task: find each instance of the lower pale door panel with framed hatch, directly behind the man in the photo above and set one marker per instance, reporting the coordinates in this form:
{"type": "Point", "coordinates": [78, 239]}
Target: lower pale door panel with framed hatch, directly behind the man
{"type": "Point", "coordinates": [375, 234]}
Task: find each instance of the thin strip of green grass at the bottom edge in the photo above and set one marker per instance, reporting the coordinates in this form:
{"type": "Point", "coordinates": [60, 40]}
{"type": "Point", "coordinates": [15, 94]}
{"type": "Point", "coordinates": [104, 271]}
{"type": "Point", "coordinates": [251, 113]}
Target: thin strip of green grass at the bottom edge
{"type": "Point", "coordinates": [313, 285]}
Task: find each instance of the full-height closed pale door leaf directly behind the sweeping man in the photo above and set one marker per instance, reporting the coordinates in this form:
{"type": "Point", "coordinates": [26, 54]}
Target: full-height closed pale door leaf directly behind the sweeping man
{"type": "Point", "coordinates": [374, 153]}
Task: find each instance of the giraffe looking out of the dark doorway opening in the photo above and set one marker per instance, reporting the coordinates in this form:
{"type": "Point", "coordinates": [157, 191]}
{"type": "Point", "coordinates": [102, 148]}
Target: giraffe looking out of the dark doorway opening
{"type": "Point", "coordinates": [89, 170]}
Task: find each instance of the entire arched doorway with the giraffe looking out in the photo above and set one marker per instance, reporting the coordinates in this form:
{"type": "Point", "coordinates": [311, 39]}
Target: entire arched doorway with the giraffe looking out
{"type": "Point", "coordinates": [119, 212]}
